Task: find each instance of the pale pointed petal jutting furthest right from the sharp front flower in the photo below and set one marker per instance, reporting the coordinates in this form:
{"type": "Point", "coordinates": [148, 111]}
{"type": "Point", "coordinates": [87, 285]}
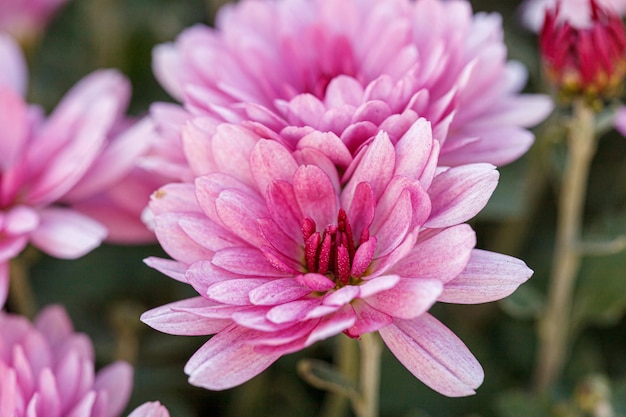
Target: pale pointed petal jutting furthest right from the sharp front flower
{"type": "Point", "coordinates": [487, 277]}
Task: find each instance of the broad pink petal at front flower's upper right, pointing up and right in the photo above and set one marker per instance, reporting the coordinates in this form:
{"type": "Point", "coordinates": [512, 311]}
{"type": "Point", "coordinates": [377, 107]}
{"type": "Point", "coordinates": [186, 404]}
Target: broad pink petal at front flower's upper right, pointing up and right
{"type": "Point", "coordinates": [459, 193]}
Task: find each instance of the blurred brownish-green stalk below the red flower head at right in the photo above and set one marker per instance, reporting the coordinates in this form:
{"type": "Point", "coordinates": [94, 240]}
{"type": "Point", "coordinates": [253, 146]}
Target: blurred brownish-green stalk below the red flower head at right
{"type": "Point", "coordinates": [554, 327]}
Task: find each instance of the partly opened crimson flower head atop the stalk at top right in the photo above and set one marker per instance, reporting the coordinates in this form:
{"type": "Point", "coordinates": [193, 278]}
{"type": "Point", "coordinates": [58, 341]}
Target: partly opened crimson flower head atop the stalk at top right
{"type": "Point", "coordinates": [589, 60]}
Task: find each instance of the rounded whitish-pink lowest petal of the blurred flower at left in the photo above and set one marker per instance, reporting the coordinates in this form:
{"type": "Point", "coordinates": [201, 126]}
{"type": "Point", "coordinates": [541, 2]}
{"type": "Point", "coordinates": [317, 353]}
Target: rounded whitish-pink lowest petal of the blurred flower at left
{"type": "Point", "coordinates": [67, 234]}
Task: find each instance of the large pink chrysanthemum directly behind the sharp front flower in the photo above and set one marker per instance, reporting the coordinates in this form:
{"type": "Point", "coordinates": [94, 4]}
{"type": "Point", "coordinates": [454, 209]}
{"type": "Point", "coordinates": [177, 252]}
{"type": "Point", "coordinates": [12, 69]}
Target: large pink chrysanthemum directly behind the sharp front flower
{"type": "Point", "coordinates": [353, 67]}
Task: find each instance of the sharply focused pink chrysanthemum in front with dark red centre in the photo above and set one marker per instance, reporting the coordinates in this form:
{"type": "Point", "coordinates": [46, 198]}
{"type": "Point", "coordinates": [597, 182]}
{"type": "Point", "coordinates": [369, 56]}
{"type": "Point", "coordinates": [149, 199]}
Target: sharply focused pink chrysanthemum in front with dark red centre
{"type": "Point", "coordinates": [284, 251]}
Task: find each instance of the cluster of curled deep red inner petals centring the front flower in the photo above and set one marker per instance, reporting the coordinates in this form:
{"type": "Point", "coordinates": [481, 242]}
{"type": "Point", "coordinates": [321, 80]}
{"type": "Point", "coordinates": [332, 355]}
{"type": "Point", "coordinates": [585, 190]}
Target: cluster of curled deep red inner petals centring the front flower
{"type": "Point", "coordinates": [333, 252]}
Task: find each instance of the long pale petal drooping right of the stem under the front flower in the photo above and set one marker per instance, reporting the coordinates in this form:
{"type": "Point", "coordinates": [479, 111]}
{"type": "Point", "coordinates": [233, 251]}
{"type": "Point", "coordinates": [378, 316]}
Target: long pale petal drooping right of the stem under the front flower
{"type": "Point", "coordinates": [434, 354]}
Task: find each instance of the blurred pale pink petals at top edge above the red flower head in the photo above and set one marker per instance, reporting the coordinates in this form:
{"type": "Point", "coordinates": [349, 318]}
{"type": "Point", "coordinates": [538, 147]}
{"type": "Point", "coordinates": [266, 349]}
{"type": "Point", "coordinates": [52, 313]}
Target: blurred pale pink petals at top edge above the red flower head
{"type": "Point", "coordinates": [576, 12]}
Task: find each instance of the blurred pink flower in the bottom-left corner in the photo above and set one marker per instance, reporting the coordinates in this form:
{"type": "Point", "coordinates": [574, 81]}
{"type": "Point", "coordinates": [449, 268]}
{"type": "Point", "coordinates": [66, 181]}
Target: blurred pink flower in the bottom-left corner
{"type": "Point", "coordinates": [47, 370]}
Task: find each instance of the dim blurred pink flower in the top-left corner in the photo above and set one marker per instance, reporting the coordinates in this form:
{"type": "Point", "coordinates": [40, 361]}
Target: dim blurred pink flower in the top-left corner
{"type": "Point", "coordinates": [27, 18]}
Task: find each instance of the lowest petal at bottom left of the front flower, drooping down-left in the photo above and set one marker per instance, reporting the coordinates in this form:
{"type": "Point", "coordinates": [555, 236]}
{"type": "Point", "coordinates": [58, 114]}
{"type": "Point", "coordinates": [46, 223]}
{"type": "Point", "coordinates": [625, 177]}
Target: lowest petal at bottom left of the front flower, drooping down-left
{"type": "Point", "coordinates": [227, 360]}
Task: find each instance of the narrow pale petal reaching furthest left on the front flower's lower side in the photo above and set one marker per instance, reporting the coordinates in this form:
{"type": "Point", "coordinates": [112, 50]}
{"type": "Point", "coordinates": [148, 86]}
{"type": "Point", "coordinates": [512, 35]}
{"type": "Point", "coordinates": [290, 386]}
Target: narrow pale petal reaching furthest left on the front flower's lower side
{"type": "Point", "coordinates": [174, 319]}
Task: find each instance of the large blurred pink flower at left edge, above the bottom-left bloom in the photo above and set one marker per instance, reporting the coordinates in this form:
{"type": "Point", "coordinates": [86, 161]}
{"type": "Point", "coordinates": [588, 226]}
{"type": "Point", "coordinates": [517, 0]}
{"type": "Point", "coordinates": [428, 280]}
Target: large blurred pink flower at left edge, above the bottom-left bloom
{"type": "Point", "coordinates": [66, 180]}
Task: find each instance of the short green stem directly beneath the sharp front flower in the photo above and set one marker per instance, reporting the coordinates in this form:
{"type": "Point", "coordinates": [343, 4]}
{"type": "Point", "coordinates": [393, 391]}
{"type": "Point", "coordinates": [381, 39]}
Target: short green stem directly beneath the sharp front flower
{"type": "Point", "coordinates": [369, 377]}
